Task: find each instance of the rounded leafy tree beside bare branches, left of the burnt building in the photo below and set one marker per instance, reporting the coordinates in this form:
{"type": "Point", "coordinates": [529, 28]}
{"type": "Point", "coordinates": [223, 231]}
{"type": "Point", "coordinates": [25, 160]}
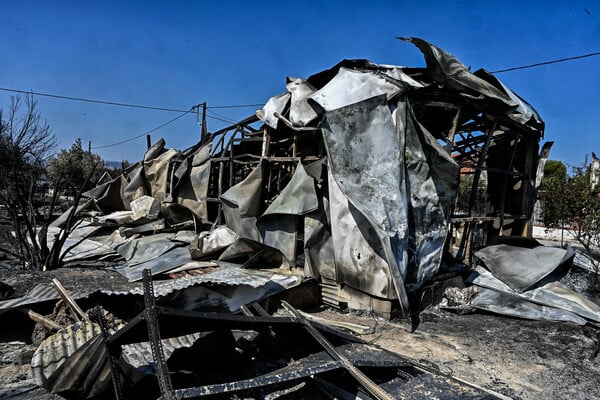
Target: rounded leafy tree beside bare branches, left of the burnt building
{"type": "Point", "coordinates": [75, 169]}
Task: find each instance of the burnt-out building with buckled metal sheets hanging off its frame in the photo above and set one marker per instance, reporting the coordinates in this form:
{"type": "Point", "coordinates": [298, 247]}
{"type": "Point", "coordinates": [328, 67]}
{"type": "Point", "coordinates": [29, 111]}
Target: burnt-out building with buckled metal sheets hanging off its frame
{"type": "Point", "coordinates": [365, 176]}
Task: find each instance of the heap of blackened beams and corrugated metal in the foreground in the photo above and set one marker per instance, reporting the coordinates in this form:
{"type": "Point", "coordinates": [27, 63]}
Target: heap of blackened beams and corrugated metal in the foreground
{"type": "Point", "coordinates": [254, 355]}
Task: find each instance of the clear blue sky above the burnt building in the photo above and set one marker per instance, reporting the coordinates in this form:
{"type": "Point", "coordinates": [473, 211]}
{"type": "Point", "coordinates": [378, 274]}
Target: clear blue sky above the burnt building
{"type": "Point", "coordinates": [177, 54]}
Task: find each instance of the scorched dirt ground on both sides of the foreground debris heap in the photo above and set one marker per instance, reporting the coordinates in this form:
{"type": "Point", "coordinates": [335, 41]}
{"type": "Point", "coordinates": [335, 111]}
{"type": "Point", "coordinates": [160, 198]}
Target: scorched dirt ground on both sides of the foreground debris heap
{"type": "Point", "coordinates": [520, 359]}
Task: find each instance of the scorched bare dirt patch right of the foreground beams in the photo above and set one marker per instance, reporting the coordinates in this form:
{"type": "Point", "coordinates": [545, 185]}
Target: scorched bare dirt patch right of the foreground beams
{"type": "Point", "coordinates": [517, 358]}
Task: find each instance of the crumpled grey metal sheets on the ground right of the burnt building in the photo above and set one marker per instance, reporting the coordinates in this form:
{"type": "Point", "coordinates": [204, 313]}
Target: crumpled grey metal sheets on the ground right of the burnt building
{"type": "Point", "coordinates": [522, 280]}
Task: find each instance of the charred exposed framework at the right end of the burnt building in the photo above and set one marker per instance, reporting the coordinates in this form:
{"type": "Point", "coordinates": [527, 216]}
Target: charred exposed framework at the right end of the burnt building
{"type": "Point", "coordinates": [470, 133]}
